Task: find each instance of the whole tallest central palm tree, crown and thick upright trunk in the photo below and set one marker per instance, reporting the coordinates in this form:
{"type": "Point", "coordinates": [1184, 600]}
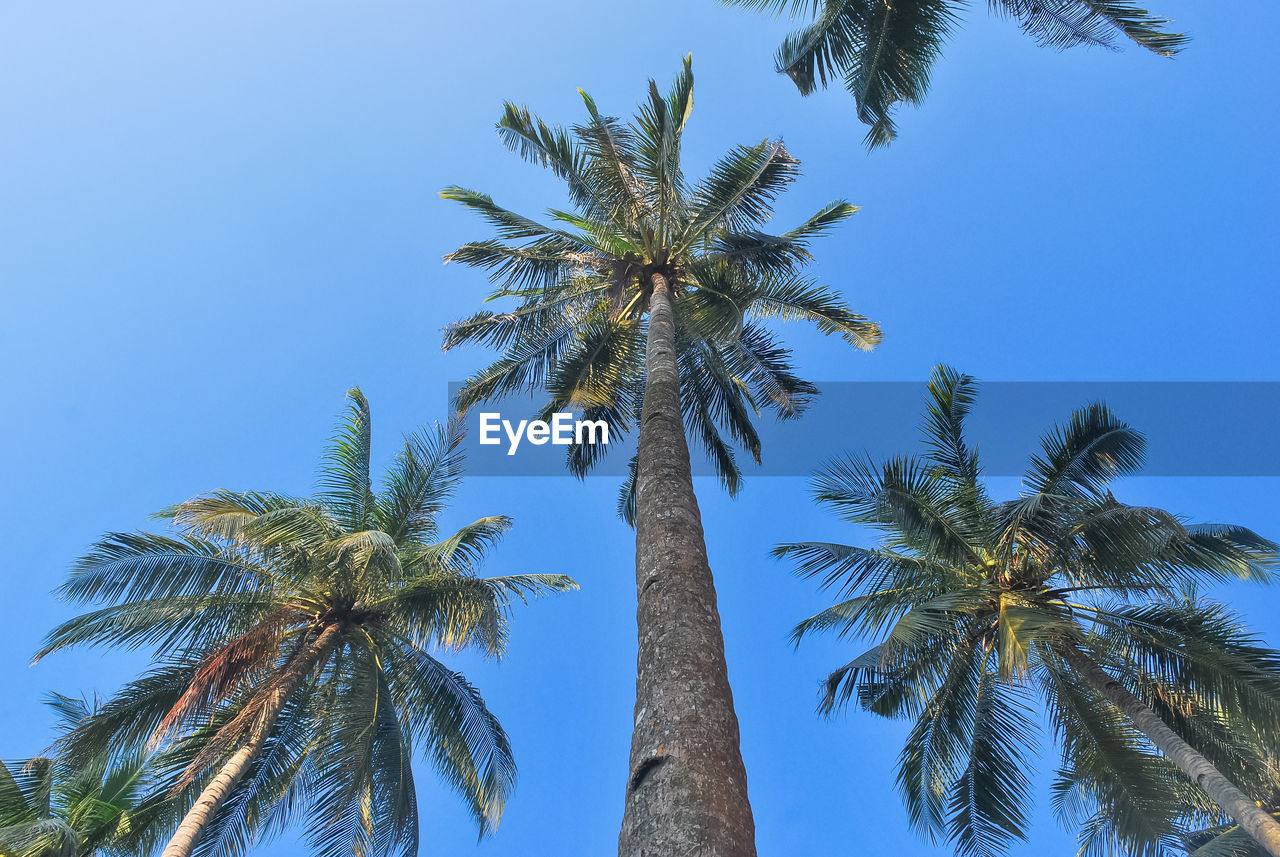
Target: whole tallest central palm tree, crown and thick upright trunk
{"type": "Point", "coordinates": [643, 308]}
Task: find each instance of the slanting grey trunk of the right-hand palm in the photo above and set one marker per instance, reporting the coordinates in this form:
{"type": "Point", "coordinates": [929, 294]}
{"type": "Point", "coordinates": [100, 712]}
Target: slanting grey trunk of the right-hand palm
{"type": "Point", "coordinates": [1247, 814]}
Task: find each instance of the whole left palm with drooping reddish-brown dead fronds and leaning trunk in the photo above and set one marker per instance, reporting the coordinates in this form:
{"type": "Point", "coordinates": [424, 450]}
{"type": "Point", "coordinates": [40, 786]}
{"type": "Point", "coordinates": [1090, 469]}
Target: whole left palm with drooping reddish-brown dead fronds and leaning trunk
{"type": "Point", "coordinates": [298, 636]}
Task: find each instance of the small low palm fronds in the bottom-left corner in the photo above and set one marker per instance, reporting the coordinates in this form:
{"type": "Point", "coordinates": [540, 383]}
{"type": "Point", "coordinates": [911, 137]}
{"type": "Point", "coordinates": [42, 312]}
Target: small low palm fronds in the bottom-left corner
{"type": "Point", "coordinates": [53, 809]}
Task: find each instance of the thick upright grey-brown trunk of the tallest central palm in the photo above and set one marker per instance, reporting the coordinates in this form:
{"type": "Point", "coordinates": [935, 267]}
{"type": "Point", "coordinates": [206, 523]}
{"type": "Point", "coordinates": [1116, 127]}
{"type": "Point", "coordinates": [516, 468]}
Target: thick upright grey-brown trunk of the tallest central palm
{"type": "Point", "coordinates": [687, 791]}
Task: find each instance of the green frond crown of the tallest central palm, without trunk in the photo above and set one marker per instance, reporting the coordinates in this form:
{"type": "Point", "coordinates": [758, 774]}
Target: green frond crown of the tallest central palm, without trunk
{"type": "Point", "coordinates": [582, 286]}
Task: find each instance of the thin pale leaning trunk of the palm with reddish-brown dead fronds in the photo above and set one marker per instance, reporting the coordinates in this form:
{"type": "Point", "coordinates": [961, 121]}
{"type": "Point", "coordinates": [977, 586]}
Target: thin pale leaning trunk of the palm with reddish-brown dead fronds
{"type": "Point", "coordinates": [203, 812]}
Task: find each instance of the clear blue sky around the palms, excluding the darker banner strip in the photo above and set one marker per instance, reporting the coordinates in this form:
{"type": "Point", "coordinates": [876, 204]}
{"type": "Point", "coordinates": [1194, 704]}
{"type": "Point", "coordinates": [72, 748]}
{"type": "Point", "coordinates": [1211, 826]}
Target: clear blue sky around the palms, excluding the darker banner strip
{"type": "Point", "coordinates": [218, 217]}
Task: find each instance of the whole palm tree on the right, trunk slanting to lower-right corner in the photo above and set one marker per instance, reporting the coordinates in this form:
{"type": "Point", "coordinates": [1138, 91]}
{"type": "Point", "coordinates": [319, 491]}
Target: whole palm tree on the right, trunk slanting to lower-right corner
{"type": "Point", "coordinates": [1066, 592]}
